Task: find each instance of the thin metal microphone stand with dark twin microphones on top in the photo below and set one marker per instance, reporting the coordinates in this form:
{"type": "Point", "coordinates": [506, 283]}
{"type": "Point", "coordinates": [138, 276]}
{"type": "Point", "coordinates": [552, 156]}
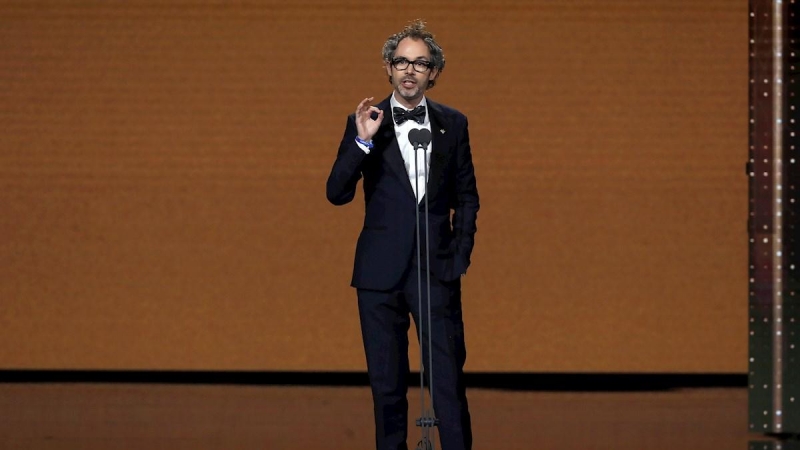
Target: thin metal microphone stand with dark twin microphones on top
{"type": "Point", "coordinates": [420, 139]}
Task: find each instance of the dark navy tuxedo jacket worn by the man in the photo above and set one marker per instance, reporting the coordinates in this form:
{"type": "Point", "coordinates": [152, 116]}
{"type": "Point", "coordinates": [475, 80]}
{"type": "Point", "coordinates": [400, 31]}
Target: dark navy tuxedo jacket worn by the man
{"type": "Point", "coordinates": [387, 242]}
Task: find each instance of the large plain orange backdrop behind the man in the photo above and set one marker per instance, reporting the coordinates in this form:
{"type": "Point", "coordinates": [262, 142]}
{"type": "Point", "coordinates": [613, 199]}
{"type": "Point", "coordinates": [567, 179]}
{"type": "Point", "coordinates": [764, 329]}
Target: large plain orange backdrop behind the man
{"type": "Point", "coordinates": [162, 172]}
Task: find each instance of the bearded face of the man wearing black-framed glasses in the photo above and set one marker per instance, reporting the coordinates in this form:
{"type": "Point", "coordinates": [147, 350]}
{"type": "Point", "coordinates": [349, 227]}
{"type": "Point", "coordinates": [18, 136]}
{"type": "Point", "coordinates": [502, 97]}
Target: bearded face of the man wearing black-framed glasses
{"type": "Point", "coordinates": [409, 83]}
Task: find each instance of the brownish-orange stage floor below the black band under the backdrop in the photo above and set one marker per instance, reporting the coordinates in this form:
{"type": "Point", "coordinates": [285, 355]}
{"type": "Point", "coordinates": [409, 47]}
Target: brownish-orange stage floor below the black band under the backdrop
{"type": "Point", "coordinates": [173, 416]}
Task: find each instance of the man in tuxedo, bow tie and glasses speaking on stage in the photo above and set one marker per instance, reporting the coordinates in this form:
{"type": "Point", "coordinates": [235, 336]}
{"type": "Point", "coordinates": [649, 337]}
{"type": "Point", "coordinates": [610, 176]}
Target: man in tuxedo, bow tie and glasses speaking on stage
{"type": "Point", "coordinates": [387, 271]}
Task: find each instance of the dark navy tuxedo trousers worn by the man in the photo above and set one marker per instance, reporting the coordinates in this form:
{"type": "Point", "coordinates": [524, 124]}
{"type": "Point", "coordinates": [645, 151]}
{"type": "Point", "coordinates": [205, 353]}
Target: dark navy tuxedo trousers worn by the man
{"type": "Point", "coordinates": [385, 324]}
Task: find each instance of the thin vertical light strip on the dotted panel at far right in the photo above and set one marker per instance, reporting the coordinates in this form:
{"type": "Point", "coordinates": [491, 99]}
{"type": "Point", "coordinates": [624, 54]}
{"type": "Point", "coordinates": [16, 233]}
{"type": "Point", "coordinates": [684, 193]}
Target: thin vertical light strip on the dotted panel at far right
{"type": "Point", "coordinates": [777, 230]}
